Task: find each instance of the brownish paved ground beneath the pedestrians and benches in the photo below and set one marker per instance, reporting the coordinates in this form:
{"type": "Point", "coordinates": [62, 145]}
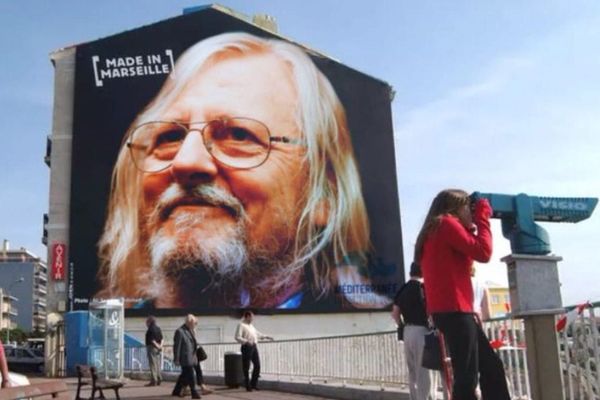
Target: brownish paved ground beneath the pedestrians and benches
{"type": "Point", "coordinates": [135, 389]}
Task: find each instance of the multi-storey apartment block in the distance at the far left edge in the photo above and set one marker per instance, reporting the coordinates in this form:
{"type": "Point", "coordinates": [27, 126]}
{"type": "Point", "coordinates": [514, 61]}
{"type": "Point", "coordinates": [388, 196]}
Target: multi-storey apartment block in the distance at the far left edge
{"type": "Point", "coordinates": [23, 276]}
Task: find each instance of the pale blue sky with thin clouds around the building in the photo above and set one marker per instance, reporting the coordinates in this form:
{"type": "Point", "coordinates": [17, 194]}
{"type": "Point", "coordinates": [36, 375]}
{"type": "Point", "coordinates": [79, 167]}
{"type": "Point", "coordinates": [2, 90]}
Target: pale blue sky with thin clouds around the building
{"type": "Point", "coordinates": [494, 96]}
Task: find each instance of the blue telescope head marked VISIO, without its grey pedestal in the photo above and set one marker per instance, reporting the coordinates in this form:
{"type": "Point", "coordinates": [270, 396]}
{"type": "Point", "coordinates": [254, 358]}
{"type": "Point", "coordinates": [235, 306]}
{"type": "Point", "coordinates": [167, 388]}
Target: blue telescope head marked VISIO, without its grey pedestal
{"type": "Point", "coordinates": [519, 212]}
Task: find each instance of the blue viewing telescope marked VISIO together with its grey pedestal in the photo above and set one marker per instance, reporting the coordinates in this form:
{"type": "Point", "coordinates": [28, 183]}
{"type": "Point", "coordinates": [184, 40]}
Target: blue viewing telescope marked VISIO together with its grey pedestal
{"type": "Point", "coordinates": [533, 277]}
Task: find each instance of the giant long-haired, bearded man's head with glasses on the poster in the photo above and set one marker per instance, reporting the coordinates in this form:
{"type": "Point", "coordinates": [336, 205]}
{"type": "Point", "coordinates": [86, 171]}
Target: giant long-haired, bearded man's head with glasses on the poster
{"type": "Point", "coordinates": [237, 187]}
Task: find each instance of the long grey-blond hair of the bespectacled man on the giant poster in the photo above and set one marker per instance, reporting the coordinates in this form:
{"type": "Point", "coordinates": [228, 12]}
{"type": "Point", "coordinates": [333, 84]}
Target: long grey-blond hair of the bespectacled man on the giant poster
{"type": "Point", "coordinates": [333, 179]}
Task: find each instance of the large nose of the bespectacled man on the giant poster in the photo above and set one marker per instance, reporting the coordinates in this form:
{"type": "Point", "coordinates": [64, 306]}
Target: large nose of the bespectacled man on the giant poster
{"type": "Point", "coordinates": [193, 164]}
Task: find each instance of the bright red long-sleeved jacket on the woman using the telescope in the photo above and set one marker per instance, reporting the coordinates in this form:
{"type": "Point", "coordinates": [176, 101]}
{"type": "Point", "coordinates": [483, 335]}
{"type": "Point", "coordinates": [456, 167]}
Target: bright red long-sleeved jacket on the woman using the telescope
{"type": "Point", "coordinates": [448, 254]}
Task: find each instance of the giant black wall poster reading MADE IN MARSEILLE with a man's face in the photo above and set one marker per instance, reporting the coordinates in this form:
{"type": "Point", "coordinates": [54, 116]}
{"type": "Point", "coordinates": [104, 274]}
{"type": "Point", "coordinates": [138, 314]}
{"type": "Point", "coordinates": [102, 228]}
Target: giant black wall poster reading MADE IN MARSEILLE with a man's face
{"type": "Point", "coordinates": [217, 166]}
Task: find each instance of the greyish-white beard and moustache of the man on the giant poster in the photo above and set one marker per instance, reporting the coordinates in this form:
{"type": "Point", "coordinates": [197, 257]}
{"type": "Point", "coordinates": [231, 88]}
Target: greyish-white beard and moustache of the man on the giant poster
{"type": "Point", "coordinates": [223, 258]}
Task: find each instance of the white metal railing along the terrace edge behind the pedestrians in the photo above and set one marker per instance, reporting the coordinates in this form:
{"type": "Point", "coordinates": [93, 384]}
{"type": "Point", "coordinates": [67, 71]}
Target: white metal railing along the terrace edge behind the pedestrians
{"type": "Point", "coordinates": [378, 358]}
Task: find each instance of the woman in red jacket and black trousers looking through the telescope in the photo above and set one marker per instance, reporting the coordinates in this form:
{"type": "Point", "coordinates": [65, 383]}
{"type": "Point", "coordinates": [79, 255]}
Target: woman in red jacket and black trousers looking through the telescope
{"type": "Point", "coordinates": [452, 237]}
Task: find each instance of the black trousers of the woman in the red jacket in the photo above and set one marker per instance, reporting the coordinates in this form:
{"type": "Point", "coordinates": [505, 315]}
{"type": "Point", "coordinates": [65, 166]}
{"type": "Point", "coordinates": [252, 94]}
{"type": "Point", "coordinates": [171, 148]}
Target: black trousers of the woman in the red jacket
{"type": "Point", "coordinates": [471, 355]}
